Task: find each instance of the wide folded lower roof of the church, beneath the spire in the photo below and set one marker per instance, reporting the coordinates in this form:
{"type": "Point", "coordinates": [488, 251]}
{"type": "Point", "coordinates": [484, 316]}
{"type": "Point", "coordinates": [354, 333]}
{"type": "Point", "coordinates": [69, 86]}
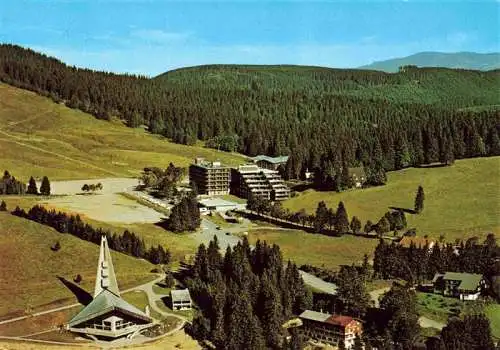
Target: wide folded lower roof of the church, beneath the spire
{"type": "Point", "coordinates": [104, 303]}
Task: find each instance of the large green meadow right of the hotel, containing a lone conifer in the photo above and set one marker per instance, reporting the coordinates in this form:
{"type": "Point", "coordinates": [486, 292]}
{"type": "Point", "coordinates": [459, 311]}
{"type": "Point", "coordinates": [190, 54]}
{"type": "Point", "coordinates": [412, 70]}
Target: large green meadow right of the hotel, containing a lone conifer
{"type": "Point", "coordinates": [461, 200]}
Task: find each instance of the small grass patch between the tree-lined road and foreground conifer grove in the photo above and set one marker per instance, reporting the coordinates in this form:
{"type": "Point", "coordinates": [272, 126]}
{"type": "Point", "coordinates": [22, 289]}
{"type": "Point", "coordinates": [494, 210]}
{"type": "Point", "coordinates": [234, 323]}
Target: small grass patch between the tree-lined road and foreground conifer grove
{"type": "Point", "coordinates": [315, 249]}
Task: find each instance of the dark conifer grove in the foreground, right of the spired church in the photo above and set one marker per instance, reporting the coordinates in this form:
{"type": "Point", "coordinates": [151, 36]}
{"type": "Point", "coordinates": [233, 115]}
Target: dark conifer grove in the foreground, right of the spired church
{"type": "Point", "coordinates": [244, 296]}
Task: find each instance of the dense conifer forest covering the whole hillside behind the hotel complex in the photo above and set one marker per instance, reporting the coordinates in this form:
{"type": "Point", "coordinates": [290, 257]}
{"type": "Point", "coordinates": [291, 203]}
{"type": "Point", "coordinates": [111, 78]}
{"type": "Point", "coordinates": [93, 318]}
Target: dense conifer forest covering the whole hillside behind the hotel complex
{"type": "Point", "coordinates": [326, 119]}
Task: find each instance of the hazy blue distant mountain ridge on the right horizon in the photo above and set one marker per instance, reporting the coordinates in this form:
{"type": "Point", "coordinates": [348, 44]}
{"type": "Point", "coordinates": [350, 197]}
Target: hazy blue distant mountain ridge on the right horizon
{"type": "Point", "coordinates": [464, 60]}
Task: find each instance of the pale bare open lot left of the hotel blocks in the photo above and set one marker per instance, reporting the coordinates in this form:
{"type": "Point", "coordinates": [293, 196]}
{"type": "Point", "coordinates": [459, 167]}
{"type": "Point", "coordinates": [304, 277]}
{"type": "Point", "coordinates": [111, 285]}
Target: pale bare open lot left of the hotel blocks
{"type": "Point", "coordinates": [106, 205]}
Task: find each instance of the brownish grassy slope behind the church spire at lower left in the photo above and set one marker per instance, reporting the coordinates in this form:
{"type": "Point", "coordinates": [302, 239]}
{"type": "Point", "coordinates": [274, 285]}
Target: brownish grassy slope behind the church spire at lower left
{"type": "Point", "coordinates": [30, 269]}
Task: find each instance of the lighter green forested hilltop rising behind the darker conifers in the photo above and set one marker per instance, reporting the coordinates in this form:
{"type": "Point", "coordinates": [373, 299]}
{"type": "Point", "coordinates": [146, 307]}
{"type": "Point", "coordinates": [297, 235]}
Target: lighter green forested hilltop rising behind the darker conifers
{"type": "Point", "coordinates": [439, 86]}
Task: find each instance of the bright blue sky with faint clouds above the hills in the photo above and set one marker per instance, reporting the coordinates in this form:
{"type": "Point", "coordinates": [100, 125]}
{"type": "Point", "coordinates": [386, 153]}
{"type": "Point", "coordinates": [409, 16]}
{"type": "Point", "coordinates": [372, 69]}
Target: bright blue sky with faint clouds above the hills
{"type": "Point", "coordinates": [149, 37]}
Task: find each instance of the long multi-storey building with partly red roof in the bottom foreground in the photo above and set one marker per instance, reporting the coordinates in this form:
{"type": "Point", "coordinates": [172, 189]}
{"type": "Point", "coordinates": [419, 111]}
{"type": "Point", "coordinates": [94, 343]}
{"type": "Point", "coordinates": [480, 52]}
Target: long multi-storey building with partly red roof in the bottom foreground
{"type": "Point", "coordinates": [330, 329]}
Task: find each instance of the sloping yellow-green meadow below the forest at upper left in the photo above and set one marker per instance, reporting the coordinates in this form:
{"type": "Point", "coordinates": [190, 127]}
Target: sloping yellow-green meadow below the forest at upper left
{"type": "Point", "coordinates": [40, 137]}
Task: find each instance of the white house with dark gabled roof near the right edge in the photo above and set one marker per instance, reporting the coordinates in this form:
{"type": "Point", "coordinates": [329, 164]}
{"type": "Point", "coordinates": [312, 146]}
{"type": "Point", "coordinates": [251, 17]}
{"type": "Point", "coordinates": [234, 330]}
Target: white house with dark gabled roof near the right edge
{"type": "Point", "coordinates": [465, 286]}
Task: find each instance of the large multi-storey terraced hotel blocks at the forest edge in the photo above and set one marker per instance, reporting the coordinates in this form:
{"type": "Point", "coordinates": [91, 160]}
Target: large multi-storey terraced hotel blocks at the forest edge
{"type": "Point", "coordinates": [260, 178]}
